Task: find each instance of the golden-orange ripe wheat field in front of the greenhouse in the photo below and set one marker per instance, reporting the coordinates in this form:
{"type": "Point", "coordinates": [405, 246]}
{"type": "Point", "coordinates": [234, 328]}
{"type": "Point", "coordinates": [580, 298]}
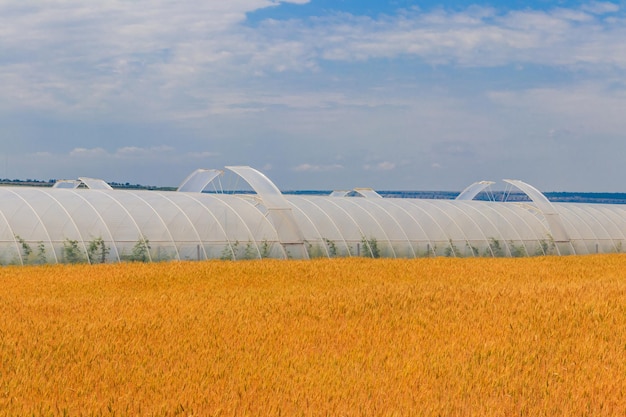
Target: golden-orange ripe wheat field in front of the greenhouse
{"type": "Point", "coordinates": [358, 337]}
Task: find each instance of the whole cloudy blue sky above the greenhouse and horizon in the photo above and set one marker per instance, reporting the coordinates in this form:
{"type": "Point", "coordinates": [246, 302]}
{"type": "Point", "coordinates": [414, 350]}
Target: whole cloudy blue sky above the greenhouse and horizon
{"type": "Point", "coordinates": [316, 94]}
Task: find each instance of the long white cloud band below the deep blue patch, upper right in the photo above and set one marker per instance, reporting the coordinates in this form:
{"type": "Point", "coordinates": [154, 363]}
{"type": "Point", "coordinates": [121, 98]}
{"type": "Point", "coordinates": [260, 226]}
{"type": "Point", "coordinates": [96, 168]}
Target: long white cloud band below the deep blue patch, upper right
{"type": "Point", "coordinates": [556, 37]}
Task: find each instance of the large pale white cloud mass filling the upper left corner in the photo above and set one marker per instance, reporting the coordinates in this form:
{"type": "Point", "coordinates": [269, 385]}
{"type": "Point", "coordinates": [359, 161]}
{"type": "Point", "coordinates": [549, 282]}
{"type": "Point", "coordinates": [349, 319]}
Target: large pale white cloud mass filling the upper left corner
{"type": "Point", "coordinates": [72, 55]}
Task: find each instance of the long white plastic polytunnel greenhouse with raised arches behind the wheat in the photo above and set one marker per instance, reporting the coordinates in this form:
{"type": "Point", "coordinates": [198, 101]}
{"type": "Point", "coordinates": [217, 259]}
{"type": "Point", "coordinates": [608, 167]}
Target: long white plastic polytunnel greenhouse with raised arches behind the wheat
{"type": "Point", "coordinates": [87, 221]}
